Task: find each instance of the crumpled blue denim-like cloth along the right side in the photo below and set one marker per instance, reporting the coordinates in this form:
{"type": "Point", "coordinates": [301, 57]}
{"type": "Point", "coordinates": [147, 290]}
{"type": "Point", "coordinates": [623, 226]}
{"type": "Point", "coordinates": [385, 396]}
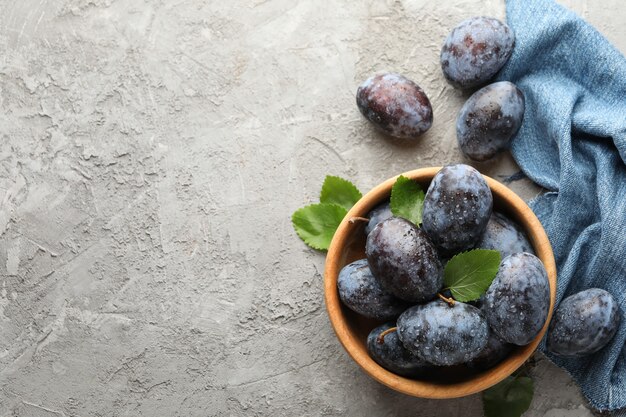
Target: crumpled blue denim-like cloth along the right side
{"type": "Point", "coordinates": [573, 143]}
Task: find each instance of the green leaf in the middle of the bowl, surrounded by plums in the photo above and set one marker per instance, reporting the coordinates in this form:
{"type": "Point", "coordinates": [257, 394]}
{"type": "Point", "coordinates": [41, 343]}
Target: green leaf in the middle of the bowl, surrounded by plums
{"type": "Point", "coordinates": [469, 274]}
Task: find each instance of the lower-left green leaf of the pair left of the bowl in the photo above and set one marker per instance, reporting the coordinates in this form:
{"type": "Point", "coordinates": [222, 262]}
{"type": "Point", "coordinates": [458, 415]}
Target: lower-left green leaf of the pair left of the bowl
{"type": "Point", "coordinates": [316, 224]}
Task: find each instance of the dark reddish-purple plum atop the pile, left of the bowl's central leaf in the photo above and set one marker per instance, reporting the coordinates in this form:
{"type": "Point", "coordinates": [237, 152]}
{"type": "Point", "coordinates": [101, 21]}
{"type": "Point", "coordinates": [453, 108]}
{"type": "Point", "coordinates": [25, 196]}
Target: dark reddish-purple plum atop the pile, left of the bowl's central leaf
{"type": "Point", "coordinates": [404, 260]}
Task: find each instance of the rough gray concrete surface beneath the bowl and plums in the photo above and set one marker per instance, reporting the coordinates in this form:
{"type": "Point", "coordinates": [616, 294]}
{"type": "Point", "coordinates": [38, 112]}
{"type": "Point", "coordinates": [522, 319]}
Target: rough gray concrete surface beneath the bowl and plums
{"type": "Point", "coordinates": [151, 155]}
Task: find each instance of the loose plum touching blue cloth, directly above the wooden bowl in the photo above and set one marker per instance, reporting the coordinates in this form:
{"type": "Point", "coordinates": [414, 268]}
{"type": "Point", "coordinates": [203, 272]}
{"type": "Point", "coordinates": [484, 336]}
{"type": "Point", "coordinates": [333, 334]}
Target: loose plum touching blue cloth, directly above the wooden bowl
{"type": "Point", "coordinates": [489, 119]}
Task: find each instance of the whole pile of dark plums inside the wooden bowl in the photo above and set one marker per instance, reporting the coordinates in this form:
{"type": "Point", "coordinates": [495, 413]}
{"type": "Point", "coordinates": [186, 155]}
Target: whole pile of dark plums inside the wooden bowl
{"type": "Point", "coordinates": [399, 281]}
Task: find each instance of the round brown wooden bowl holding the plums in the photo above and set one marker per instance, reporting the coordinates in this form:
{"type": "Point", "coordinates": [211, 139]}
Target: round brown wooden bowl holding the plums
{"type": "Point", "coordinates": [348, 245]}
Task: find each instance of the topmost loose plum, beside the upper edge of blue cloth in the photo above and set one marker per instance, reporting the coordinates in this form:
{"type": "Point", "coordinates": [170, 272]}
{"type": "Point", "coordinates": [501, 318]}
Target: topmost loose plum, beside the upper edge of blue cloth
{"type": "Point", "coordinates": [475, 51]}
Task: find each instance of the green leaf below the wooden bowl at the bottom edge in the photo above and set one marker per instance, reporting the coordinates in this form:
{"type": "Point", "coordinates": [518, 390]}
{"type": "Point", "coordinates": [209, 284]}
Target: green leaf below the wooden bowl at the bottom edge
{"type": "Point", "coordinates": [510, 398]}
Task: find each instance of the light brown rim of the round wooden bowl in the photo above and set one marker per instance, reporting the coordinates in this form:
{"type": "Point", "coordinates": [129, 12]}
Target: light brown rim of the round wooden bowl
{"type": "Point", "coordinates": [524, 216]}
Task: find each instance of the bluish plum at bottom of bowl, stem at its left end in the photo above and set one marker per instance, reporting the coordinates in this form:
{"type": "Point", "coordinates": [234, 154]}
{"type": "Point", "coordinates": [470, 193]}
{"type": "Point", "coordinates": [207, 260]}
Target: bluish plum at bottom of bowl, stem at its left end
{"type": "Point", "coordinates": [442, 334]}
